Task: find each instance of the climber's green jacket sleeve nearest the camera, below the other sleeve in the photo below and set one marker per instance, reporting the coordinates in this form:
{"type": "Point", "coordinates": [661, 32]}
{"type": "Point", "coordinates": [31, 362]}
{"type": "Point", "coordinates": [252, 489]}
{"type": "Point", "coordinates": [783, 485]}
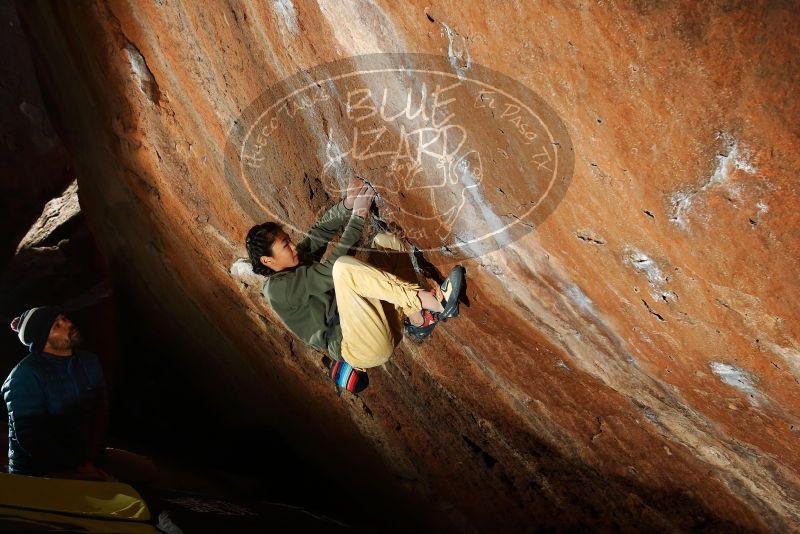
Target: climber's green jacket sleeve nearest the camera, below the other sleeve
{"type": "Point", "coordinates": [317, 277]}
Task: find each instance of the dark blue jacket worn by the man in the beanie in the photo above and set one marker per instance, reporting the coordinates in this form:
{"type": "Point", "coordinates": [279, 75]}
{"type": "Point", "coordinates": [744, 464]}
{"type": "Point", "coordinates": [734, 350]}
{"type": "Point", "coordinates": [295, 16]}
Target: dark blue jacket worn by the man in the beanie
{"type": "Point", "coordinates": [57, 412]}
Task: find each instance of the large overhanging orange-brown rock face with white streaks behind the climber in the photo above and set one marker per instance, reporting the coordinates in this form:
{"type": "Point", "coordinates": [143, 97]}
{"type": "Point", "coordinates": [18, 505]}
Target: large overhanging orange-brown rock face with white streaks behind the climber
{"type": "Point", "coordinates": [630, 355]}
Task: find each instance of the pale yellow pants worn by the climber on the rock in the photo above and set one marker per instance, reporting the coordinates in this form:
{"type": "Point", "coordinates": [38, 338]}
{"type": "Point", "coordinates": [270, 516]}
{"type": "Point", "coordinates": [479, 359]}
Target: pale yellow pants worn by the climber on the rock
{"type": "Point", "coordinates": [372, 298]}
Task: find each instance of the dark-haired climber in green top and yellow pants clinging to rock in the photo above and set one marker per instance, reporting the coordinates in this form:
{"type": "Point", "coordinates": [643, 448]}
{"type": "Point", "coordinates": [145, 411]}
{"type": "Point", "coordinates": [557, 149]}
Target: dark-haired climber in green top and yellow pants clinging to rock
{"type": "Point", "coordinates": [351, 309]}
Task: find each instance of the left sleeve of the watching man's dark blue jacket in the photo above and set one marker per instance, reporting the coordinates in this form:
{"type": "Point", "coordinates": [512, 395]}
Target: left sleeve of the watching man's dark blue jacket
{"type": "Point", "coordinates": [29, 421]}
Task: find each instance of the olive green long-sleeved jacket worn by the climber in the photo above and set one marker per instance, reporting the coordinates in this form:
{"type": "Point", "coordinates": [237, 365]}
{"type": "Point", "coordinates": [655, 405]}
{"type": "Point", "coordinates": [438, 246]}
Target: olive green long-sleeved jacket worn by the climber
{"type": "Point", "coordinates": [303, 297]}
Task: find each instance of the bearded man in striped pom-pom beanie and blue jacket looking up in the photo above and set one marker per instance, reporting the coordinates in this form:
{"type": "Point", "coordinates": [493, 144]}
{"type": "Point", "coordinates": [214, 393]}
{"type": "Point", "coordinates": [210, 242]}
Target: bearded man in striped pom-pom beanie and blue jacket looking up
{"type": "Point", "coordinates": [58, 407]}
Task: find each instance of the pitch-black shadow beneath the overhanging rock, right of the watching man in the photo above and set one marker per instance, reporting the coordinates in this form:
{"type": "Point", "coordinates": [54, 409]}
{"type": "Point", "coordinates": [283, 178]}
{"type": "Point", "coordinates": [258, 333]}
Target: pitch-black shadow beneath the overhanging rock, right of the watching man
{"type": "Point", "coordinates": [159, 409]}
